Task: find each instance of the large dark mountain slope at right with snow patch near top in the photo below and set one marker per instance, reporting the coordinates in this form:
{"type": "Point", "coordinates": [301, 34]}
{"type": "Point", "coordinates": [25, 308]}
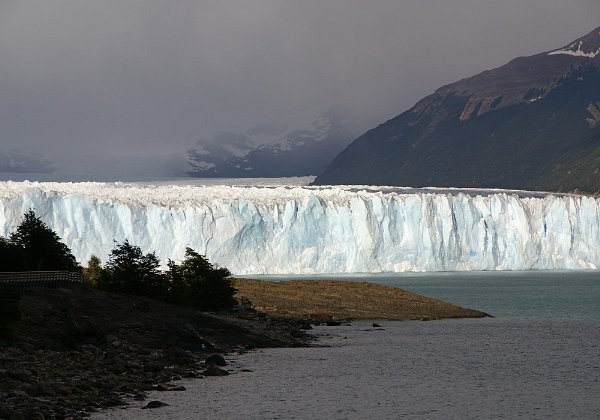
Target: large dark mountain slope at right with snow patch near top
{"type": "Point", "coordinates": [533, 124]}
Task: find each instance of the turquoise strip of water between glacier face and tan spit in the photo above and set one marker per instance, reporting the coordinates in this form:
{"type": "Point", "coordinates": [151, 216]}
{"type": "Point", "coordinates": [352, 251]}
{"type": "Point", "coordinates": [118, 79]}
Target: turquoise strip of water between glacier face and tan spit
{"type": "Point", "coordinates": [535, 295]}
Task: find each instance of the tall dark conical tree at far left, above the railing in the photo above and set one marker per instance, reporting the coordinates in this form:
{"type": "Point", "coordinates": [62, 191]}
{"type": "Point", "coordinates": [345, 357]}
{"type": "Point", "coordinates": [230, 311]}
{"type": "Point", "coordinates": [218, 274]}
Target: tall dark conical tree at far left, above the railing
{"type": "Point", "coordinates": [42, 248]}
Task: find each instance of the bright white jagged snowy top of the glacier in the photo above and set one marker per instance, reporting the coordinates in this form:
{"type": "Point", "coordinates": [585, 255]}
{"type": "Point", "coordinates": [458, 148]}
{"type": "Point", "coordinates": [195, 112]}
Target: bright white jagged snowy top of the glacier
{"type": "Point", "coordinates": [189, 194]}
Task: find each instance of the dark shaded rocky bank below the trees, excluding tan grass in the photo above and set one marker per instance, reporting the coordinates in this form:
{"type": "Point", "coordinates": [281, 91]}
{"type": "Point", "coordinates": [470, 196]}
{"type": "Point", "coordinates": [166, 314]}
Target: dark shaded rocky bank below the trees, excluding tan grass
{"type": "Point", "coordinates": [77, 350]}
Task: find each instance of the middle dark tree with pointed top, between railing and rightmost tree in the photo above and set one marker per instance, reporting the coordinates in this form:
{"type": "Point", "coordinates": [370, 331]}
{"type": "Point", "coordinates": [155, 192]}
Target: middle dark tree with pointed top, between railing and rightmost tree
{"type": "Point", "coordinates": [130, 271]}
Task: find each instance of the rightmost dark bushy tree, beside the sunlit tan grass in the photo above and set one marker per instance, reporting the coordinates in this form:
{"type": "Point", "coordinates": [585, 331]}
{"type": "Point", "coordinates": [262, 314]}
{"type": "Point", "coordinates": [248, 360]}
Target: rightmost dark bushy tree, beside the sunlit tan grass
{"type": "Point", "coordinates": [197, 283]}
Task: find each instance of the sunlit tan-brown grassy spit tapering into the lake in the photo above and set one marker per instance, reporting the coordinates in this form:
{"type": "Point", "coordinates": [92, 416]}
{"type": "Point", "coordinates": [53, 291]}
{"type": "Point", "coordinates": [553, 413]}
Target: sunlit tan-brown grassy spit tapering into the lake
{"type": "Point", "coordinates": [323, 299]}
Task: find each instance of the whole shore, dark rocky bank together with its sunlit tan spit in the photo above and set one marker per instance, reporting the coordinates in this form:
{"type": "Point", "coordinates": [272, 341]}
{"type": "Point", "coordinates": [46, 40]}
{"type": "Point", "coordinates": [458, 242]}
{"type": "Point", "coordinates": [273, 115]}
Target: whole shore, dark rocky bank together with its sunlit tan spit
{"type": "Point", "coordinates": [77, 350]}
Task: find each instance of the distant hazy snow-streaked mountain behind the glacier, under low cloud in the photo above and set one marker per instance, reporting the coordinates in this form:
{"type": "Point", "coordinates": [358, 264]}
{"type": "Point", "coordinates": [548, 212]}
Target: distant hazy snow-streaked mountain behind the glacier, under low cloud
{"type": "Point", "coordinates": [274, 150]}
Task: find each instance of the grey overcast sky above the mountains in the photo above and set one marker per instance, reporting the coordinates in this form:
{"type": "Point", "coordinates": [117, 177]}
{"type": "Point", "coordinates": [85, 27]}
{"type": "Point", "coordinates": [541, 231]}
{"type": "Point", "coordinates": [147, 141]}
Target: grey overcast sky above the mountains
{"type": "Point", "coordinates": [108, 76]}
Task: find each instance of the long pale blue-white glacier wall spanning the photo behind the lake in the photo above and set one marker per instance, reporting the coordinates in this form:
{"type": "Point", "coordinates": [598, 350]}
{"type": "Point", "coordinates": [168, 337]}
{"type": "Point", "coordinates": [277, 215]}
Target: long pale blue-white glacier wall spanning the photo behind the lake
{"type": "Point", "coordinates": [292, 229]}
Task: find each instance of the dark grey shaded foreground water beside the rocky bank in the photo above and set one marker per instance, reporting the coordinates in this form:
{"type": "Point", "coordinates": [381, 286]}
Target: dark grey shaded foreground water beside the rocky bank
{"type": "Point", "coordinates": [446, 369]}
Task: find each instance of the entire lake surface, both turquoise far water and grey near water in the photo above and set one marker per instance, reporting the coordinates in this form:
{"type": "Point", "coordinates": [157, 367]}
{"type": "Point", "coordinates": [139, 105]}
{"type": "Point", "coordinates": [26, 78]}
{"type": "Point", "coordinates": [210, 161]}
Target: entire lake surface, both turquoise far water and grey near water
{"type": "Point", "coordinates": [539, 358]}
